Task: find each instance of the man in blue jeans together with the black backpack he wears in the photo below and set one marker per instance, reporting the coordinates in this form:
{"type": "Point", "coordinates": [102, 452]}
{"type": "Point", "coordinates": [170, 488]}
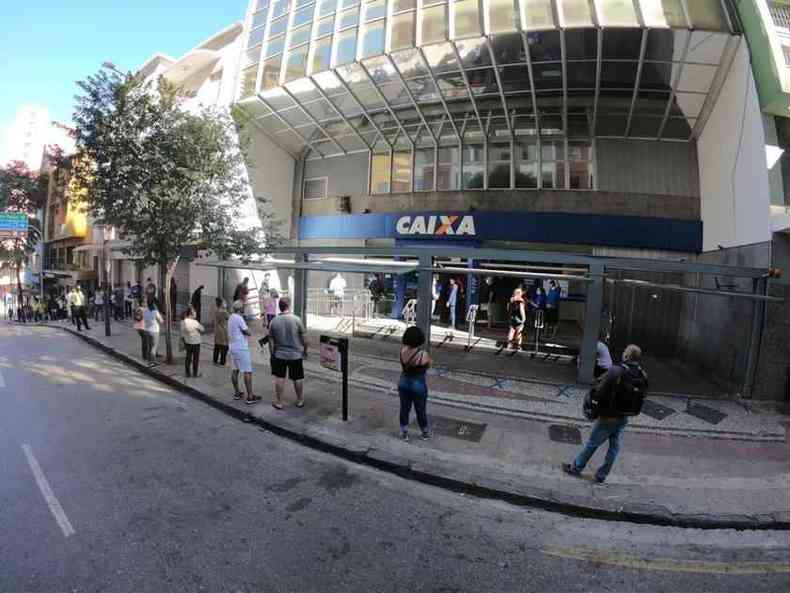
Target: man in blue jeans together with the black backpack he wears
{"type": "Point", "coordinates": [620, 394]}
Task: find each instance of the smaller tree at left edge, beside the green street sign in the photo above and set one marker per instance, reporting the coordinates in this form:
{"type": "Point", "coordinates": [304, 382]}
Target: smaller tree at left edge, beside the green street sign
{"type": "Point", "coordinates": [22, 191]}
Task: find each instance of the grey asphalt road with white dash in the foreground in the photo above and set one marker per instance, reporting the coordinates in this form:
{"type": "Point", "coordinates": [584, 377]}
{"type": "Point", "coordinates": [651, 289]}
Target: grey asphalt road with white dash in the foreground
{"type": "Point", "coordinates": [111, 482]}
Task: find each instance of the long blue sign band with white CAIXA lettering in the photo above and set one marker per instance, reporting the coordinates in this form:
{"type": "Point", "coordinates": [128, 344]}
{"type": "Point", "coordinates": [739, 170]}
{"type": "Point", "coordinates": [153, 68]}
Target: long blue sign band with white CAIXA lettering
{"type": "Point", "coordinates": [533, 227]}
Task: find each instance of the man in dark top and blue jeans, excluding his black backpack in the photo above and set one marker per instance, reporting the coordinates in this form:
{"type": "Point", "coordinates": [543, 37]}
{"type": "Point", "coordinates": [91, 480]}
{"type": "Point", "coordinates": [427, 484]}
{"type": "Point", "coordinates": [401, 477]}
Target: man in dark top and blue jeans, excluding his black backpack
{"type": "Point", "coordinates": [611, 421]}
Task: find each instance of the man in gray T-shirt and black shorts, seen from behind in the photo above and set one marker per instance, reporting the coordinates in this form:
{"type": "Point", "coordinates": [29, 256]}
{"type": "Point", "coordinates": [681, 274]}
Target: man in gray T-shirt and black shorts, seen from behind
{"type": "Point", "coordinates": [288, 346]}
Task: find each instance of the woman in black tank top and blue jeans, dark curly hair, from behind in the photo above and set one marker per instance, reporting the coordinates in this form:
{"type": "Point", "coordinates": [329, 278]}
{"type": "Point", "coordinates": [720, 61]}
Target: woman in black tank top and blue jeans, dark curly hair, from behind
{"type": "Point", "coordinates": [412, 387]}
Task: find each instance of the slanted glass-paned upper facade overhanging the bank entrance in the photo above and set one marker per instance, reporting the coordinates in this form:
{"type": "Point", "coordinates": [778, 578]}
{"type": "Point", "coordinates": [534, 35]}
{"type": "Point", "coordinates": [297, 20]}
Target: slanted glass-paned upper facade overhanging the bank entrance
{"type": "Point", "coordinates": [335, 77]}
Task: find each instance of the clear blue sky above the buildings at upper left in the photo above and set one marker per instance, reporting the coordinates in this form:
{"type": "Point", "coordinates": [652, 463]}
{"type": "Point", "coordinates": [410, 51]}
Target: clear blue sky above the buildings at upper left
{"type": "Point", "coordinates": [45, 46]}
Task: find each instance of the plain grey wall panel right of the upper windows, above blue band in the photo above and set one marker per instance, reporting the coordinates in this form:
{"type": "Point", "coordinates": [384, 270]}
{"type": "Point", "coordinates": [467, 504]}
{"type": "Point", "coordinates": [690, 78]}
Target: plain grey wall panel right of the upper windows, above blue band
{"type": "Point", "coordinates": [639, 166]}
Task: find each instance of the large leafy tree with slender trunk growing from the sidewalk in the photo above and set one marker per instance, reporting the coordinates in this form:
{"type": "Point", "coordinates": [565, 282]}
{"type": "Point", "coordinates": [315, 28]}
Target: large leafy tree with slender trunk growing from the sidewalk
{"type": "Point", "coordinates": [163, 176]}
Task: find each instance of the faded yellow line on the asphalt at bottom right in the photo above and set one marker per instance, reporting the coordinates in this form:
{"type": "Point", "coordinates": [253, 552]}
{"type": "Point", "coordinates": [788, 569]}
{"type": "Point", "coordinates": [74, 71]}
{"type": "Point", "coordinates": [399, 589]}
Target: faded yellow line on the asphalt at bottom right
{"type": "Point", "coordinates": [667, 564]}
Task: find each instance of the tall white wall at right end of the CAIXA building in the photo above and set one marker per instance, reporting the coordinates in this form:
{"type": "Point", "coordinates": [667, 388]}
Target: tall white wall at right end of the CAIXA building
{"type": "Point", "coordinates": [734, 182]}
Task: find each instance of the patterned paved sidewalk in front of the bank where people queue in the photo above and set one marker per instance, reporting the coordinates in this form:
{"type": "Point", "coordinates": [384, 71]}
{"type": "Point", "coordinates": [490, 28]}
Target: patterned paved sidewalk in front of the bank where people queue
{"type": "Point", "coordinates": [708, 464]}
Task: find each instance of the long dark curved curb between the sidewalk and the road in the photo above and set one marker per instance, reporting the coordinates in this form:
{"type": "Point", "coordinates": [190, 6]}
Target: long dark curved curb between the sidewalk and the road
{"type": "Point", "coordinates": [489, 488]}
